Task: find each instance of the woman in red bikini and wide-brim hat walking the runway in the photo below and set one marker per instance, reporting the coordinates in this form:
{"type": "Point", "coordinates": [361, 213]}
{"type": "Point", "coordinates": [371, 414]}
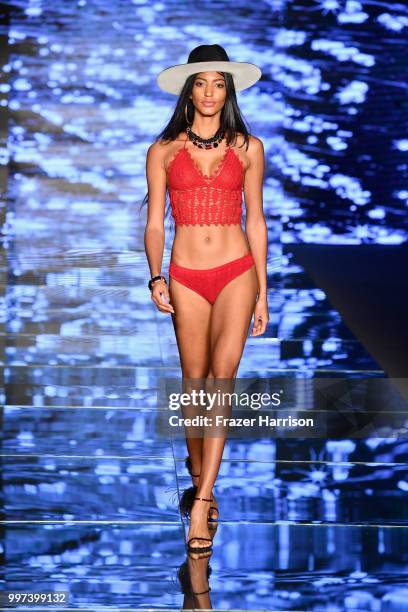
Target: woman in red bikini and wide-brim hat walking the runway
{"type": "Point", "coordinates": [217, 275]}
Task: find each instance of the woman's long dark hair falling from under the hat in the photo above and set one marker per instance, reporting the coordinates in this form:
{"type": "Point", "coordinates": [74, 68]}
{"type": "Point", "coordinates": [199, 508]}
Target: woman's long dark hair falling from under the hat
{"type": "Point", "coordinates": [232, 121]}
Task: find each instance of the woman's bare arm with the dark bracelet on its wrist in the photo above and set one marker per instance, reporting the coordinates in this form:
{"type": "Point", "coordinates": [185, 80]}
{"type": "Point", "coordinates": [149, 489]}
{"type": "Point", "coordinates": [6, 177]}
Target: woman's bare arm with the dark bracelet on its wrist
{"type": "Point", "coordinates": [154, 234]}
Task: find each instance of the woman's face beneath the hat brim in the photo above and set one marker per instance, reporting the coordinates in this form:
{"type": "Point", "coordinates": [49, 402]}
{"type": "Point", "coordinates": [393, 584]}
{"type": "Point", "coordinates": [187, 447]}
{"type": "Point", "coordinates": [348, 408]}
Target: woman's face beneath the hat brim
{"type": "Point", "coordinates": [209, 92]}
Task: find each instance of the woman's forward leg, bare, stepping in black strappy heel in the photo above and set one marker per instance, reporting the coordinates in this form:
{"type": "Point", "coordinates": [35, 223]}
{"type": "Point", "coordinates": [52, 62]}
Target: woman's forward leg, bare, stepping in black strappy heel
{"type": "Point", "coordinates": [229, 325]}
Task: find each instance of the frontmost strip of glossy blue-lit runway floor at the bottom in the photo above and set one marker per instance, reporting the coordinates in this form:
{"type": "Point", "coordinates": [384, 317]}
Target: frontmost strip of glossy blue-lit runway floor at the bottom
{"type": "Point", "coordinates": [255, 565]}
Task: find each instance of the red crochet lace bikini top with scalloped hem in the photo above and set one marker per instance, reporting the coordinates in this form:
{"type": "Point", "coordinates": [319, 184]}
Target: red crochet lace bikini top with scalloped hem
{"type": "Point", "coordinates": [198, 199]}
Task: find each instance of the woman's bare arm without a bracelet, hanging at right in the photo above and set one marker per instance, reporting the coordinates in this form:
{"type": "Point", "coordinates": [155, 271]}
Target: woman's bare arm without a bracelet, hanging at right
{"type": "Point", "coordinates": [255, 227]}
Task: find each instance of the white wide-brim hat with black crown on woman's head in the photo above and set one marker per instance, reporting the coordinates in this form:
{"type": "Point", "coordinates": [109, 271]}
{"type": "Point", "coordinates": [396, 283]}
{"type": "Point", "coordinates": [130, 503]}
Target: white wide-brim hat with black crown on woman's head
{"type": "Point", "coordinates": [208, 58]}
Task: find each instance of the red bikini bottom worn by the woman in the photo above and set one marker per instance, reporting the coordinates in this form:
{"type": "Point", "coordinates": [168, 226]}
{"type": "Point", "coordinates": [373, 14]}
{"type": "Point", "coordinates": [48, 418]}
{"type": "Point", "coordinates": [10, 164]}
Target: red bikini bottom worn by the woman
{"type": "Point", "coordinates": [210, 281]}
